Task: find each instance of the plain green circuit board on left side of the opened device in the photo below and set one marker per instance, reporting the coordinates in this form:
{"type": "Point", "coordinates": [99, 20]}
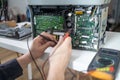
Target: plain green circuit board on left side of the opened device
{"type": "Point", "coordinates": [46, 22]}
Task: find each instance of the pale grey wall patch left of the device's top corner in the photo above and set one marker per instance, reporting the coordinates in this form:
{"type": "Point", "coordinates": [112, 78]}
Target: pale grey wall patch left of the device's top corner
{"type": "Point", "coordinates": [18, 6]}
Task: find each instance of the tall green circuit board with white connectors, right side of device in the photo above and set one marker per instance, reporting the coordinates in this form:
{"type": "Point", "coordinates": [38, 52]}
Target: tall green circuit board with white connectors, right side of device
{"type": "Point", "coordinates": [84, 37]}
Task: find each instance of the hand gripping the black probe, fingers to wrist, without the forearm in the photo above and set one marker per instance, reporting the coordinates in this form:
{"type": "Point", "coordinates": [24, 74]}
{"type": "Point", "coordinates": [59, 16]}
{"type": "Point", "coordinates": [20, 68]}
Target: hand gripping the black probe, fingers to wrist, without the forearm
{"type": "Point", "coordinates": [40, 44]}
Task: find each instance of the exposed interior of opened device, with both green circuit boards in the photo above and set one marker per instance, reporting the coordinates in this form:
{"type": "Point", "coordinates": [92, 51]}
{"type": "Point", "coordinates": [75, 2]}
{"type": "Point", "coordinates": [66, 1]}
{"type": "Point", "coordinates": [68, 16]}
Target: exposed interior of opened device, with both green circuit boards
{"type": "Point", "coordinates": [85, 23]}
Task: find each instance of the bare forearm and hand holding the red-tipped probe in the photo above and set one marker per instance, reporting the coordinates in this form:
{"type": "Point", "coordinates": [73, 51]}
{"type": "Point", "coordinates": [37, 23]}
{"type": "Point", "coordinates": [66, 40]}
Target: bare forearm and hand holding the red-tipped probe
{"type": "Point", "coordinates": [59, 60]}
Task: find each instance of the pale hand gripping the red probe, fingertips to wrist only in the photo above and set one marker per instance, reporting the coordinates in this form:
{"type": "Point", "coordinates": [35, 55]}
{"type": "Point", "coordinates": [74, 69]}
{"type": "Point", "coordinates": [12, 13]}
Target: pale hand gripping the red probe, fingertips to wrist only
{"type": "Point", "coordinates": [61, 55]}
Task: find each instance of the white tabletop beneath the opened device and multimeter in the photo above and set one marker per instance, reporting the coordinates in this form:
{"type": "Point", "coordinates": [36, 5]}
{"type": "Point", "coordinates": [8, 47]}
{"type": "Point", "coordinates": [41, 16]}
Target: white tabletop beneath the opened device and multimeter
{"type": "Point", "coordinates": [80, 59]}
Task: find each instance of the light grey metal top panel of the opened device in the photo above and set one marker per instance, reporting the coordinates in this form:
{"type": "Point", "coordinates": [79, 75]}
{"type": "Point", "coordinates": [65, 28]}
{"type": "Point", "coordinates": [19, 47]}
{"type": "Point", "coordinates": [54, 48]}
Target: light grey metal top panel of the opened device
{"type": "Point", "coordinates": [68, 2]}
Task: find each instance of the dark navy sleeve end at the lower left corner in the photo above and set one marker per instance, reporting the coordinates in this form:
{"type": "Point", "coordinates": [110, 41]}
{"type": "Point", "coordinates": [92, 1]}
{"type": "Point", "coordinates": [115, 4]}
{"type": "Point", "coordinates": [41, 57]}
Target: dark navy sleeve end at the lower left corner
{"type": "Point", "coordinates": [10, 70]}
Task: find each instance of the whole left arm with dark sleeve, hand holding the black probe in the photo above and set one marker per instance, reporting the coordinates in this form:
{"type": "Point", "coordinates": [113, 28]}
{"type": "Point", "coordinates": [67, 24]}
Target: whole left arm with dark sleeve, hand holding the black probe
{"type": "Point", "coordinates": [13, 69]}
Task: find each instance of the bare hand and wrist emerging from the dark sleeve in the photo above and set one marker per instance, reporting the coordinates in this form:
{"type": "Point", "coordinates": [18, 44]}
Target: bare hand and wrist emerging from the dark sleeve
{"type": "Point", "coordinates": [37, 49]}
